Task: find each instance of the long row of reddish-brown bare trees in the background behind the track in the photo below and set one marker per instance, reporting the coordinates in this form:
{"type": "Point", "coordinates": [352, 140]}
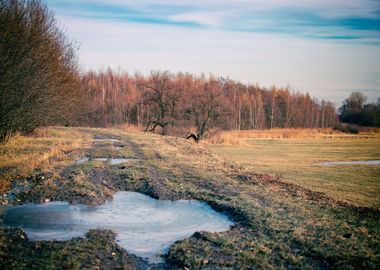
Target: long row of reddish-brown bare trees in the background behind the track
{"type": "Point", "coordinates": [168, 100]}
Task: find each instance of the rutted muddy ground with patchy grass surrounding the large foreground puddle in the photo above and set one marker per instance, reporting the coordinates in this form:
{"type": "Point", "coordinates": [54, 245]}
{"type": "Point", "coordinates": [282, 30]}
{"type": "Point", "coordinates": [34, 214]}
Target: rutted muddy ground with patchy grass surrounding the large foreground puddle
{"type": "Point", "coordinates": [278, 224]}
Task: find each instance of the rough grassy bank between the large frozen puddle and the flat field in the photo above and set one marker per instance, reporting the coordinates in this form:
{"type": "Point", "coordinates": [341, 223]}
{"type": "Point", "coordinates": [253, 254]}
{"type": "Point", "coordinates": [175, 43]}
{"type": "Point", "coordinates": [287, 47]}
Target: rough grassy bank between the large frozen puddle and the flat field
{"type": "Point", "coordinates": [288, 219]}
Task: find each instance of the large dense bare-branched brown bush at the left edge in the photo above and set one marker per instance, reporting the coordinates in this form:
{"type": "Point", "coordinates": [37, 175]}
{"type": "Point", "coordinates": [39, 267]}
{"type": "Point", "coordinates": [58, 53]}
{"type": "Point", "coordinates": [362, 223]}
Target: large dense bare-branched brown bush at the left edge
{"type": "Point", "coordinates": [38, 69]}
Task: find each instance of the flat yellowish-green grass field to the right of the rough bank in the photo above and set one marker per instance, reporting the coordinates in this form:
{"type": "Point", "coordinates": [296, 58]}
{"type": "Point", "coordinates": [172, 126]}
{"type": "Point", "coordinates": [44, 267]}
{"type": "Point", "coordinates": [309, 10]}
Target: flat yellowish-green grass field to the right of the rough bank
{"type": "Point", "coordinates": [295, 161]}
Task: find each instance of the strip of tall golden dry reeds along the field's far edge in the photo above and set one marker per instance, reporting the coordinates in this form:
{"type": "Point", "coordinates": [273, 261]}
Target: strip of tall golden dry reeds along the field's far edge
{"type": "Point", "coordinates": [242, 137]}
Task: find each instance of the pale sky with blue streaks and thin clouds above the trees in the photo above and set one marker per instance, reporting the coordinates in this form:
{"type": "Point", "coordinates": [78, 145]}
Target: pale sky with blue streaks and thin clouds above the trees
{"type": "Point", "coordinates": [327, 48]}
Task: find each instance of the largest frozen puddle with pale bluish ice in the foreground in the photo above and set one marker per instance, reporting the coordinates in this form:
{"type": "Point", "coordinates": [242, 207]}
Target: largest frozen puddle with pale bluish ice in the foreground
{"type": "Point", "coordinates": [145, 226]}
